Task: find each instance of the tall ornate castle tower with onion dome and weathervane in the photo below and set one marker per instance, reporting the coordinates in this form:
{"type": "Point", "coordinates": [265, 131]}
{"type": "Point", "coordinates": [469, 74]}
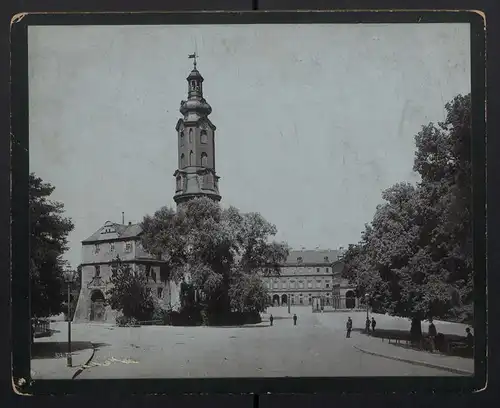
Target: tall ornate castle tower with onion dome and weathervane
{"type": "Point", "coordinates": [195, 175]}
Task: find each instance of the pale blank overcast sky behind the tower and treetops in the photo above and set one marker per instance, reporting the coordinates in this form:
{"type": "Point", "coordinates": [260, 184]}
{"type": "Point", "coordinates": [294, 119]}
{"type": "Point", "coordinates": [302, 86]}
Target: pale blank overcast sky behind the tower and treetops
{"type": "Point", "coordinates": [313, 121]}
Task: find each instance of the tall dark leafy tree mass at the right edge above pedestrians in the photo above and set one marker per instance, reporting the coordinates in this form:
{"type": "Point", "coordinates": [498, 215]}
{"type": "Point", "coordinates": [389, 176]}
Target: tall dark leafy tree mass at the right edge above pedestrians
{"type": "Point", "coordinates": [415, 257]}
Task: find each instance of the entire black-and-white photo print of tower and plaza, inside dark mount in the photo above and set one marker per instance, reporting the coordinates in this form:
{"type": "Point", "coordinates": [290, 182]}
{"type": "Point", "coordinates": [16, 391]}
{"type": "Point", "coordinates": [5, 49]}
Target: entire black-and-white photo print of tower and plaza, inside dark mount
{"type": "Point", "coordinates": [256, 200]}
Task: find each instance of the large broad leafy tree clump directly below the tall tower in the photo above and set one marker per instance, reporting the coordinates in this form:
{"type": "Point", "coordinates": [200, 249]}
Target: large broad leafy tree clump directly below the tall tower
{"type": "Point", "coordinates": [218, 251]}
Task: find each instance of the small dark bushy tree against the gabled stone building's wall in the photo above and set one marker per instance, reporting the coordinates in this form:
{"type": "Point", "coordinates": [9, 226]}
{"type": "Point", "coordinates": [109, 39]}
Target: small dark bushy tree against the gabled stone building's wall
{"type": "Point", "coordinates": [129, 293]}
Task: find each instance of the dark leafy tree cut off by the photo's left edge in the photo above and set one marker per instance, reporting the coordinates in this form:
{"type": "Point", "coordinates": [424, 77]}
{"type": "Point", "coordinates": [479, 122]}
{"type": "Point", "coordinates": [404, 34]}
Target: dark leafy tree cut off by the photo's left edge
{"type": "Point", "coordinates": [48, 241]}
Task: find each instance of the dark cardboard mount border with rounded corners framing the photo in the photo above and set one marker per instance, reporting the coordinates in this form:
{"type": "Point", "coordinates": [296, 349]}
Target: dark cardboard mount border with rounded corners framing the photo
{"type": "Point", "coordinates": [20, 209]}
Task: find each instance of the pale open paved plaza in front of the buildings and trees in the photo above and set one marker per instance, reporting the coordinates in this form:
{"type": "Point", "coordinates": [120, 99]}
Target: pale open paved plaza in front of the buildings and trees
{"type": "Point", "coordinates": [315, 347]}
